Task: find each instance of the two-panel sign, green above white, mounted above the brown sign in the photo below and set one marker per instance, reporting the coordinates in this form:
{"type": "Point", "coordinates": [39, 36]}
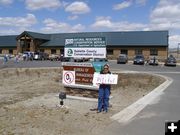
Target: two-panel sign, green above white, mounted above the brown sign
{"type": "Point", "coordinates": [94, 47]}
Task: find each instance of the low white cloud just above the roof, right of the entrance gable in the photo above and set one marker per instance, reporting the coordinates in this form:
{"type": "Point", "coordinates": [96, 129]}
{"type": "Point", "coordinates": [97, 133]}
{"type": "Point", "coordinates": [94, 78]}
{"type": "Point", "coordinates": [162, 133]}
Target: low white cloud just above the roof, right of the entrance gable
{"type": "Point", "coordinates": [53, 26]}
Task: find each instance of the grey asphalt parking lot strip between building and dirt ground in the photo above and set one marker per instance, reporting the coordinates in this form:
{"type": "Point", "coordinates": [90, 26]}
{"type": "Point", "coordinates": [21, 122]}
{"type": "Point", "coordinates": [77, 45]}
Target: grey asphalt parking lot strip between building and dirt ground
{"type": "Point", "coordinates": [113, 65]}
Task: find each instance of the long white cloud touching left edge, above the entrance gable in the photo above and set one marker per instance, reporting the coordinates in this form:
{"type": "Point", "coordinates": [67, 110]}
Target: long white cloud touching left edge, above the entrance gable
{"type": "Point", "coordinates": [27, 21]}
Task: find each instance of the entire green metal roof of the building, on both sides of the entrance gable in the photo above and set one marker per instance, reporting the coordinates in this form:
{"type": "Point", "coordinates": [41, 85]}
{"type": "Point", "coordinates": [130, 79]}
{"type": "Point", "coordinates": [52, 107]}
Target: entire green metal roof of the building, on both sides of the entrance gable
{"type": "Point", "coordinates": [113, 39]}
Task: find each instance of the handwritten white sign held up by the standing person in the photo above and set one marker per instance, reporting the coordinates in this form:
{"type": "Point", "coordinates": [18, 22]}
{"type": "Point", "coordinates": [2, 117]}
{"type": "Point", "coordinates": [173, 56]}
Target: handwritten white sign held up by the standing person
{"type": "Point", "coordinates": [105, 78]}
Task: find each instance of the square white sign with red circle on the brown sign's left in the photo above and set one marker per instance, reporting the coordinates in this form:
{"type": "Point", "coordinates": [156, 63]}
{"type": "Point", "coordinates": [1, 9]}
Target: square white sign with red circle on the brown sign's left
{"type": "Point", "coordinates": [68, 77]}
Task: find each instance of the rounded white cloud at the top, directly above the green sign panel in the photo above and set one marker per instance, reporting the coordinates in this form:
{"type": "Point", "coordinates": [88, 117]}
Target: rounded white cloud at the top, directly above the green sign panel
{"type": "Point", "coordinates": [77, 8]}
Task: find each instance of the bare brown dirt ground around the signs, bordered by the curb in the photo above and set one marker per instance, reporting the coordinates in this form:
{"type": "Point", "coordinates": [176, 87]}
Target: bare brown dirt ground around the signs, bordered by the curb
{"type": "Point", "coordinates": [29, 103]}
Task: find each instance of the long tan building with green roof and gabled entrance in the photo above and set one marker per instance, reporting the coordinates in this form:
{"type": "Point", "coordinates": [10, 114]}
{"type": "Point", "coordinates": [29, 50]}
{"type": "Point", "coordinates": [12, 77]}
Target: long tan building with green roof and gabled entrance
{"type": "Point", "coordinates": [148, 43]}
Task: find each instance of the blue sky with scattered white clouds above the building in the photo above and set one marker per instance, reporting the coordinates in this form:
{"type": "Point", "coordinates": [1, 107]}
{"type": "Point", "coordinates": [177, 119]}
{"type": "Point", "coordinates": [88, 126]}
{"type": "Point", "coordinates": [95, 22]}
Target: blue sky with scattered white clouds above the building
{"type": "Point", "coordinates": [67, 16]}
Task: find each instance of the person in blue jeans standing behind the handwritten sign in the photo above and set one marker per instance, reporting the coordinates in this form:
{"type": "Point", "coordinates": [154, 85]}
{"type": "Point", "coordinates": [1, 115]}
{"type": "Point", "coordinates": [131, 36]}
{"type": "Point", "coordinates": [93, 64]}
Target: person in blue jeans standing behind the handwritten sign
{"type": "Point", "coordinates": [104, 92]}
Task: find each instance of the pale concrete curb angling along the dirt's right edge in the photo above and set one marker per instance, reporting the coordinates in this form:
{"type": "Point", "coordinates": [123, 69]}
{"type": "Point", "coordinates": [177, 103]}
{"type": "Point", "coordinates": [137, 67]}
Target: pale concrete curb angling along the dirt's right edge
{"type": "Point", "coordinates": [128, 113]}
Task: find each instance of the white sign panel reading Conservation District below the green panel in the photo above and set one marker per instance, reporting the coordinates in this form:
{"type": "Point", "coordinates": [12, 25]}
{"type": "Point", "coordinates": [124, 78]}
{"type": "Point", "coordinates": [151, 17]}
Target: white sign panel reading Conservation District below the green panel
{"type": "Point", "coordinates": [85, 52]}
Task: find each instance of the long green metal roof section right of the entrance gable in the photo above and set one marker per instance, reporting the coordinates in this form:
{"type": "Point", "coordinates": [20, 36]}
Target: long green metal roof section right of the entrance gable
{"type": "Point", "coordinates": [132, 38]}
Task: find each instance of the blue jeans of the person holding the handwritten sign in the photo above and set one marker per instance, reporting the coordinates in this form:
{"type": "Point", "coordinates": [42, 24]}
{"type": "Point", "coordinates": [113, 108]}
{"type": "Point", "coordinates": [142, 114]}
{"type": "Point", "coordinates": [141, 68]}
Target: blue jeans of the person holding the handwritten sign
{"type": "Point", "coordinates": [103, 99]}
